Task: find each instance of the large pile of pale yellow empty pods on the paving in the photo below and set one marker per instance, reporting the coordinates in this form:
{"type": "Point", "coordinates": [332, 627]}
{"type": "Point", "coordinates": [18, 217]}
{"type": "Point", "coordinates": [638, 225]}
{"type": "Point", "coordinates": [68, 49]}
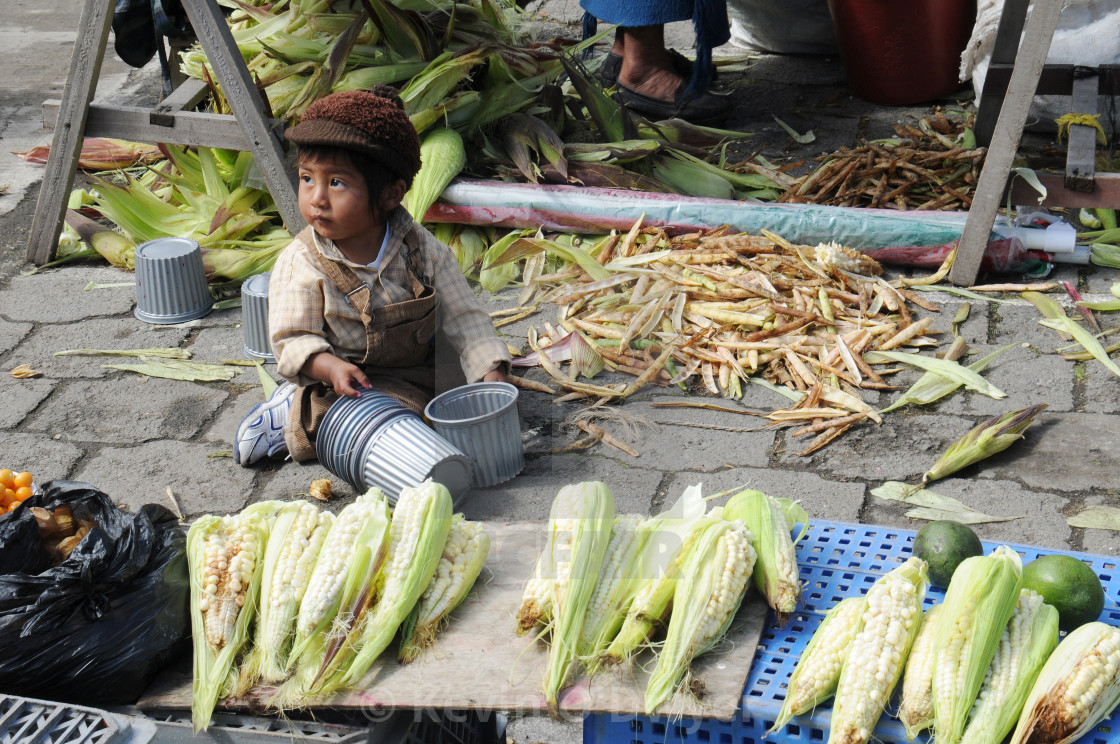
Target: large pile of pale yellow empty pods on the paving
{"type": "Point", "coordinates": [722, 311]}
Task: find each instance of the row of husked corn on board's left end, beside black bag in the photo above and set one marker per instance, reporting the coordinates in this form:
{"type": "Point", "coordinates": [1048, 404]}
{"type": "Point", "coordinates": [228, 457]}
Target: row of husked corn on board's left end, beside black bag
{"type": "Point", "coordinates": [292, 604]}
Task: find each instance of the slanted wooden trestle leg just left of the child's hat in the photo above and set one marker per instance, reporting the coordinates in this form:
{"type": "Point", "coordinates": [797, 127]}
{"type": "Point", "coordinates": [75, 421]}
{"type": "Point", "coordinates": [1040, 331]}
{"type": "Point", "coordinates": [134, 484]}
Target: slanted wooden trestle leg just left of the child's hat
{"type": "Point", "coordinates": [245, 100]}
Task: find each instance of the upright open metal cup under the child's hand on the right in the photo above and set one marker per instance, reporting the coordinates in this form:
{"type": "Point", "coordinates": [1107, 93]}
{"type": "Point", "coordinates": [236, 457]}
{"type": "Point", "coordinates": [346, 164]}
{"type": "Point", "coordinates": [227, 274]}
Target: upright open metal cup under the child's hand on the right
{"type": "Point", "coordinates": [482, 421]}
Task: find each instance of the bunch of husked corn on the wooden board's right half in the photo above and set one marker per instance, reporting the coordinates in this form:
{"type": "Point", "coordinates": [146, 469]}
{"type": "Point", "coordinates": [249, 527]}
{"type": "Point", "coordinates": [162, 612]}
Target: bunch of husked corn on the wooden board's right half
{"type": "Point", "coordinates": [608, 587]}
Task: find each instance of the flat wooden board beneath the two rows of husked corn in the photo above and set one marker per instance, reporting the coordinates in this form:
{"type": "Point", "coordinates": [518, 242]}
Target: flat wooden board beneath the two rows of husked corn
{"type": "Point", "coordinates": [479, 663]}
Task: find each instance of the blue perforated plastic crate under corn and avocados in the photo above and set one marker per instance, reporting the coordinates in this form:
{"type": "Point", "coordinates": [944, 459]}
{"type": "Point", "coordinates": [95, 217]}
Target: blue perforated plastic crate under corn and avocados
{"type": "Point", "coordinates": [837, 561]}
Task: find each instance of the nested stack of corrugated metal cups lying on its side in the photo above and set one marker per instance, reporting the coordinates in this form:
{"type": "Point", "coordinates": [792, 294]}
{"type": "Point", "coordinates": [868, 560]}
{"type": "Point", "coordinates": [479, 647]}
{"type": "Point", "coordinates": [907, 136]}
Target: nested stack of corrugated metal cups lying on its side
{"type": "Point", "coordinates": [375, 441]}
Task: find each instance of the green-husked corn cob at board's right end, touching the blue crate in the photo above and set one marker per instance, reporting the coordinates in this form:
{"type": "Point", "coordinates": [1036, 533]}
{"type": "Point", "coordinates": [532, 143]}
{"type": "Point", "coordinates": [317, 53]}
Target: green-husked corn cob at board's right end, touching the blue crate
{"type": "Point", "coordinates": [777, 575]}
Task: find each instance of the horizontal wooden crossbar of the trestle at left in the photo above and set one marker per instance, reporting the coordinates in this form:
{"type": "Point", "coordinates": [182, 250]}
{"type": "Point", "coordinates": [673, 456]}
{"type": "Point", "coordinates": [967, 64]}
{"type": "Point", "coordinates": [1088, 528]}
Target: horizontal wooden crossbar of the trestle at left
{"type": "Point", "coordinates": [192, 128]}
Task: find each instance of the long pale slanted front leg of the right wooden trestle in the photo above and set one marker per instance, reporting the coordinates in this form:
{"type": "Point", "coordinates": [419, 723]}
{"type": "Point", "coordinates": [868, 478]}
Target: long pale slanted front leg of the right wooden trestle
{"type": "Point", "coordinates": [1005, 141]}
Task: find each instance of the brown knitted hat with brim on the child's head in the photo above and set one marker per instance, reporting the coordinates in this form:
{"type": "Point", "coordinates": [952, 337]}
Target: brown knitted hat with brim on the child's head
{"type": "Point", "coordinates": [371, 123]}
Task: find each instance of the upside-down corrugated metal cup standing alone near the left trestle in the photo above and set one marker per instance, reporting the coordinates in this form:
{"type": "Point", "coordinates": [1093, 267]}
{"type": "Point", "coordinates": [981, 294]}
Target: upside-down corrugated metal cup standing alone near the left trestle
{"type": "Point", "coordinates": [172, 282]}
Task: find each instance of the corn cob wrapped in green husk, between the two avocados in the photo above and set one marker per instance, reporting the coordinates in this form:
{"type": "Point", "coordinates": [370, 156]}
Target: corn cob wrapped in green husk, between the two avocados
{"type": "Point", "coordinates": [981, 600]}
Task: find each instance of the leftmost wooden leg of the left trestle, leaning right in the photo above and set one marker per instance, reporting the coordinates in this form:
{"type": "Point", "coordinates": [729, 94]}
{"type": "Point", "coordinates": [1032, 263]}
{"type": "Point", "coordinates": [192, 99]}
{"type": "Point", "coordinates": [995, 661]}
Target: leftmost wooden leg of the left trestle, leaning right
{"type": "Point", "coordinates": [95, 24]}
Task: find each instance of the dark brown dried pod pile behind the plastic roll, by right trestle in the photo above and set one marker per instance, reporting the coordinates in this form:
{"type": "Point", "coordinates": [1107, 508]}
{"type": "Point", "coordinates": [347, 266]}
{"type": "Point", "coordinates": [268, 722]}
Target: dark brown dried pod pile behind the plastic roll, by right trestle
{"type": "Point", "coordinates": [932, 166]}
